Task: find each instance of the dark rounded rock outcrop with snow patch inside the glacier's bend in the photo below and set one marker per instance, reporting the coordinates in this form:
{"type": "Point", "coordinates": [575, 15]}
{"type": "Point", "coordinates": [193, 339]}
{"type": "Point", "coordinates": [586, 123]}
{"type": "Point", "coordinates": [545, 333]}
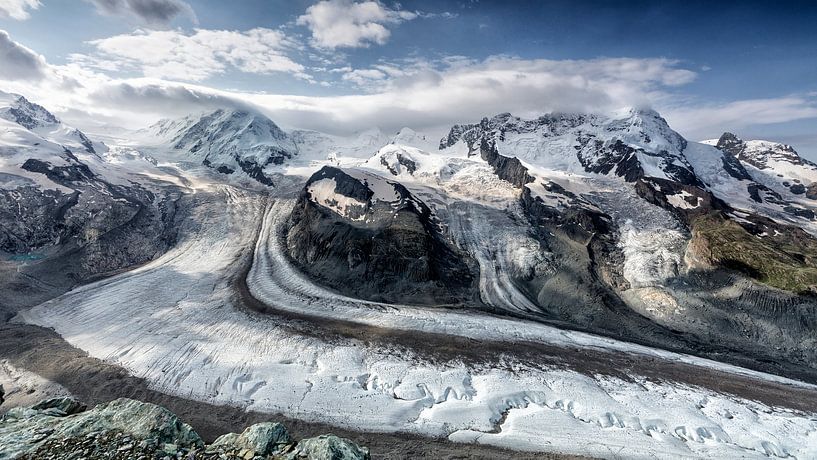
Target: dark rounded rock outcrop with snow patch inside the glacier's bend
{"type": "Point", "coordinates": [371, 238]}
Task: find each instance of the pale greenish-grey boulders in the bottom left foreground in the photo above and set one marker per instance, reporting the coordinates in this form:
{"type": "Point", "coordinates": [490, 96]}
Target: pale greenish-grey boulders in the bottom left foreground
{"type": "Point", "coordinates": [62, 428]}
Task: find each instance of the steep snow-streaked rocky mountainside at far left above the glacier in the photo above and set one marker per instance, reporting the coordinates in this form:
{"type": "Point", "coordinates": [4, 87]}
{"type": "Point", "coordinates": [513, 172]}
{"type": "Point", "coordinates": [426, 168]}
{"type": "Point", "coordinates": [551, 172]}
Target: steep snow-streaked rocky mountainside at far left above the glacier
{"type": "Point", "coordinates": [66, 214]}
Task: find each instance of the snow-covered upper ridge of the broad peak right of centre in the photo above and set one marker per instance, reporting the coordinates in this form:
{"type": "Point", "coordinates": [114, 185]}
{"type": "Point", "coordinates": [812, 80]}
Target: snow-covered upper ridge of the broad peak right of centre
{"type": "Point", "coordinates": [629, 144]}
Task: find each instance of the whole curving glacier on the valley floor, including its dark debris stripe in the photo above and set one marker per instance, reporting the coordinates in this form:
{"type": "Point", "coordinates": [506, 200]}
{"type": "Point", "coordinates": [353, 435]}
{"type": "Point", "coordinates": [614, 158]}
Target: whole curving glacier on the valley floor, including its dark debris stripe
{"type": "Point", "coordinates": [224, 319]}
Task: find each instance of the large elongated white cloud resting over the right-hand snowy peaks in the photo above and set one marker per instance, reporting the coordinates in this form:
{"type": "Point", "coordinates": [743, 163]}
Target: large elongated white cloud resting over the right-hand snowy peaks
{"type": "Point", "coordinates": [420, 93]}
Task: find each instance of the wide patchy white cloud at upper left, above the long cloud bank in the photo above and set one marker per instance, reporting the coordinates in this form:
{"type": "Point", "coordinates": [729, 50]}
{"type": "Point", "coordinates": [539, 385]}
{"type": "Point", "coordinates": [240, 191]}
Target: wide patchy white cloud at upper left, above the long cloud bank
{"type": "Point", "coordinates": [176, 55]}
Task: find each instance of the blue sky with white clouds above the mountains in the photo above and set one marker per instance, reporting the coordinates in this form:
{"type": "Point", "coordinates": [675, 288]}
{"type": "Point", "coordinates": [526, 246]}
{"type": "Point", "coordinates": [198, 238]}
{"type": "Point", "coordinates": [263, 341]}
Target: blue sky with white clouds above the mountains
{"type": "Point", "coordinates": [343, 66]}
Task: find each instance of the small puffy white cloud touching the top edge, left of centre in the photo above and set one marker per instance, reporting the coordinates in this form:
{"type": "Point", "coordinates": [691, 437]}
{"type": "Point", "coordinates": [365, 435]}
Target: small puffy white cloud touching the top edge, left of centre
{"type": "Point", "coordinates": [343, 23]}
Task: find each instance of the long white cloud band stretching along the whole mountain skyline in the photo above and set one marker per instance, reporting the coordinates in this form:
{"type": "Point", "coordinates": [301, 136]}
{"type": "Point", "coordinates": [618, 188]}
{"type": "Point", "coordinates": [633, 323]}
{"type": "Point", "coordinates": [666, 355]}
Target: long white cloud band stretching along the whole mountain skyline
{"type": "Point", "coordinates": [416, 93]}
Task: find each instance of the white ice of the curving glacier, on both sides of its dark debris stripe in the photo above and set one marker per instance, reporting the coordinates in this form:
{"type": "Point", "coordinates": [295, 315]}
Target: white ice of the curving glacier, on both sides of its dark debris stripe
{"type": "Point", "coordinates": [175, 323]}
